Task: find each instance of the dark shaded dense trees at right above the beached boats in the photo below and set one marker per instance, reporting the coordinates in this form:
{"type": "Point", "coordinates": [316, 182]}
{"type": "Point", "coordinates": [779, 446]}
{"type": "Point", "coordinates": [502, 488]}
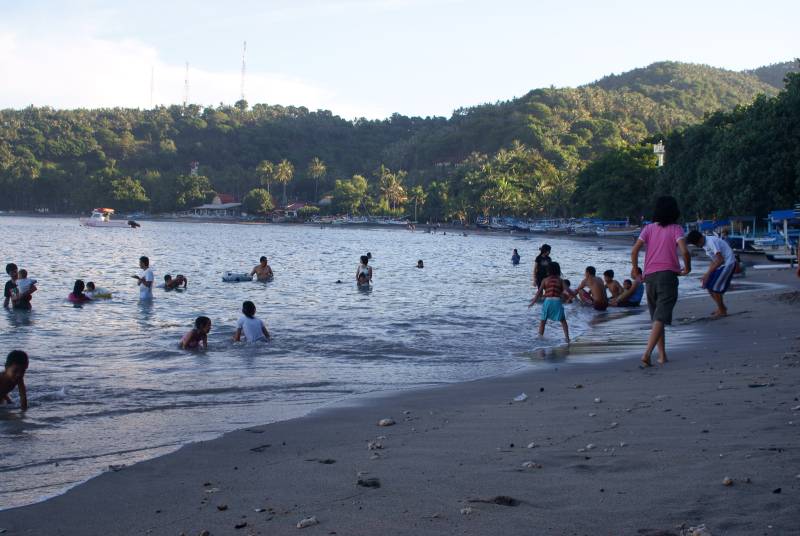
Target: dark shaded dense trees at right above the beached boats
{"type": "Point", "coordinates": [743, 162]}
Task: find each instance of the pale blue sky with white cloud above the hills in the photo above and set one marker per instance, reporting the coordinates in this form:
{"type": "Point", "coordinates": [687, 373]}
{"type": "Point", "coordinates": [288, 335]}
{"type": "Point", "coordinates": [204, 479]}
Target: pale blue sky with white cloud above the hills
{"type": "Point", "coordinates": [364, 58]}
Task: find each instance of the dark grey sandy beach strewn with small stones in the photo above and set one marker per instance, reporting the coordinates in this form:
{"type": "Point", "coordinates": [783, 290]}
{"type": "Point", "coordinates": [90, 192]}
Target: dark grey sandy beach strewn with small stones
{"type": "Point", "coordinates": [613, 449]}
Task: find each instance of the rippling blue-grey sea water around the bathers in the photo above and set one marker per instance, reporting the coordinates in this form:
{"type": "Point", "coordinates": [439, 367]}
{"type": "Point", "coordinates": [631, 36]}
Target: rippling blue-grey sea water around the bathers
{"type": "Point", "coordinates": [108, 385]}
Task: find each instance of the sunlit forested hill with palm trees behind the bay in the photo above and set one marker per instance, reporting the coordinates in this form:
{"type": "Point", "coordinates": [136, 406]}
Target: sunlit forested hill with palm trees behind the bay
{"type": "Point", "coordinates": [515, 157]}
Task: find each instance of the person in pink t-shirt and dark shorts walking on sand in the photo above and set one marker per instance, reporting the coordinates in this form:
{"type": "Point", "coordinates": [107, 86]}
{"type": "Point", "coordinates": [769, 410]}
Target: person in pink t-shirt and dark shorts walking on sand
{"type": "Point", "coordinates": [663, 238]}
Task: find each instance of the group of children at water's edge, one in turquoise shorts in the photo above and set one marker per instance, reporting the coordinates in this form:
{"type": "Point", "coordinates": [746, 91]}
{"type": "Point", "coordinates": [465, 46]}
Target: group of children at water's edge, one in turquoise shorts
{"type": "Point", "coordinates": [554, 291]}
